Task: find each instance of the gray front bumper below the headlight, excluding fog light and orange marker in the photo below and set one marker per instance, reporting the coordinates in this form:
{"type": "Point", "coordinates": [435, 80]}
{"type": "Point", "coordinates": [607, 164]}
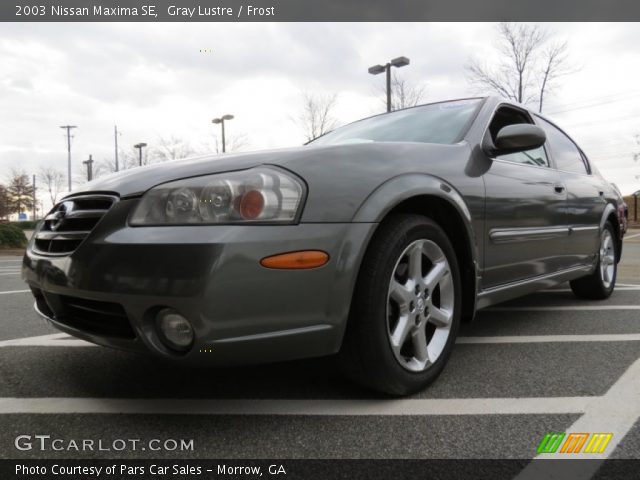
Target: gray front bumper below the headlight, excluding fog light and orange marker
{"type": "Point", "coordinates": [241, 312]}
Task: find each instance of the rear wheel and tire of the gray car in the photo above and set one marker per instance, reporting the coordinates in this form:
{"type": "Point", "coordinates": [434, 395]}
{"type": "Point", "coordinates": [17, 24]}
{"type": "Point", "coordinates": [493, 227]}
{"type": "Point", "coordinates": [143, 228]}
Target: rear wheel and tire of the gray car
{"type": "Point", "coordinates": [600, 284]}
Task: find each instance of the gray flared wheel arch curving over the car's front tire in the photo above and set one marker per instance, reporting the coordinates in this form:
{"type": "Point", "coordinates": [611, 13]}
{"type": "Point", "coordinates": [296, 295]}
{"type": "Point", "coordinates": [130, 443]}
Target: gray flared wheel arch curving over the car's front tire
{"type": "Point", "coordinates": [436, 199]}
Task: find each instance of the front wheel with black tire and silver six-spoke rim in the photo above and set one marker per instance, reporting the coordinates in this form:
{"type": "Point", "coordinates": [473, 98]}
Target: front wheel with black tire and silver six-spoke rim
{"type": "Point", "coordinates": [406, 308]}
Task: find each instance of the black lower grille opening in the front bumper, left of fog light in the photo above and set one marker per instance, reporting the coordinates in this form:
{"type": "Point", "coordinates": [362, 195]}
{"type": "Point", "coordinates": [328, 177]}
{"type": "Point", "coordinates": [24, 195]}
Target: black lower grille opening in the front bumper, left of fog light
{"type": "Point", "coordinates": [91, 316]}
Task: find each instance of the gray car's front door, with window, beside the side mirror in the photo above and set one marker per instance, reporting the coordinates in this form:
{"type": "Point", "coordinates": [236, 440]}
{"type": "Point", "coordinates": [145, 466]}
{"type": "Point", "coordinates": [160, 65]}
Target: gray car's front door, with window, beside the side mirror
{"type": "Point", "coordinates": [526, 222]}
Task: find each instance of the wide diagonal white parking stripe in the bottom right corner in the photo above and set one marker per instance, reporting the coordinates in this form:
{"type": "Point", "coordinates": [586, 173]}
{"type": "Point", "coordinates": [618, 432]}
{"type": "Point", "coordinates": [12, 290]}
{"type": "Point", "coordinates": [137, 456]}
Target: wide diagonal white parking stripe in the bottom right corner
{"type": "Point", "coordinates": [616, 412]}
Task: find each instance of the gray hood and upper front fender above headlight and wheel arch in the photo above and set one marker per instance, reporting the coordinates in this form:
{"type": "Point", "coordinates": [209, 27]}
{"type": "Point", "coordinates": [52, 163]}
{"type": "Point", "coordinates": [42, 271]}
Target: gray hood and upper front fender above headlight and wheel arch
{"type": "Point", "coordinates": [339, 178]}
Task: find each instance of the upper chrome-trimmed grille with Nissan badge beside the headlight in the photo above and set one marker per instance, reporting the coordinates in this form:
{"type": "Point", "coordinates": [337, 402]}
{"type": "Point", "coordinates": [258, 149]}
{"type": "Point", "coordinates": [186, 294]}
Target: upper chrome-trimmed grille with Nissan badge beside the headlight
{"type": "Point", "coordinates": [69, 223]}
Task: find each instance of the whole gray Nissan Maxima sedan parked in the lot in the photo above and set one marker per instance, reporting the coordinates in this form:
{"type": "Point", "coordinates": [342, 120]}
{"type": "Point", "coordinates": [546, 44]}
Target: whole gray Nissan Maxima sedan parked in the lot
{"type": "Point", "coordinates": [375, 241]}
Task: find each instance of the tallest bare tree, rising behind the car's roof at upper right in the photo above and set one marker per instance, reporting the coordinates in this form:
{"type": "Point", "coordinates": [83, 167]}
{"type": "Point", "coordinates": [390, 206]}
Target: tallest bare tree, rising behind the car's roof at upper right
{"type": "Point", "coordinates": [529, 65]}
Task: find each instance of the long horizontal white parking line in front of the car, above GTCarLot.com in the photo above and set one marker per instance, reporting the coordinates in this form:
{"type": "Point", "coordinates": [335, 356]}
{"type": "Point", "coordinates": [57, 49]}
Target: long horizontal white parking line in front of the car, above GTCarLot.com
{"type": "Point", "coordinates": [445, 406]}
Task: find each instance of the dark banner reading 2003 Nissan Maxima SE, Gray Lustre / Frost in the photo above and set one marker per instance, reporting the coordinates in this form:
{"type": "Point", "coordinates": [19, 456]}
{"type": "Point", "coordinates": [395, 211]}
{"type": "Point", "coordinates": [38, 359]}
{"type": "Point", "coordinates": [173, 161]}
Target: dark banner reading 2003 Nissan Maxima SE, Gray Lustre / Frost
{"type": "Point", "coordinates": [317, 10]}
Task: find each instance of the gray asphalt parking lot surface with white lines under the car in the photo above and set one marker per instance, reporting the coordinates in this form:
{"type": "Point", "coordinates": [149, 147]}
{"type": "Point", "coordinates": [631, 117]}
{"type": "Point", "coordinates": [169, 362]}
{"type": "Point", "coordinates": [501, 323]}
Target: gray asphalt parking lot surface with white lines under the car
{"type": "Point", "coordinates": [544, 363]}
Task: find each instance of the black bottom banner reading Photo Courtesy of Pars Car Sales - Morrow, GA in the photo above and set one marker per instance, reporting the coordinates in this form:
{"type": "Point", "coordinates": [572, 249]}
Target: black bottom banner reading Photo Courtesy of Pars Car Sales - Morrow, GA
{"type": "Point", "coordinates": [69, 469]}
